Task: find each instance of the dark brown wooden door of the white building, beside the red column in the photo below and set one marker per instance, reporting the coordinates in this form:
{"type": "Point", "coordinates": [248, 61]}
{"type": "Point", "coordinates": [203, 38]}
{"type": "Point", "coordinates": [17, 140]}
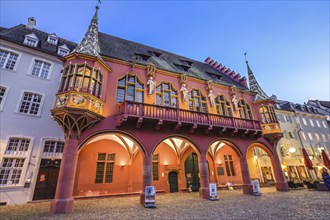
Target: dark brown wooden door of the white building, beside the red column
{"type": "Point", "coordinates": [47, 179]}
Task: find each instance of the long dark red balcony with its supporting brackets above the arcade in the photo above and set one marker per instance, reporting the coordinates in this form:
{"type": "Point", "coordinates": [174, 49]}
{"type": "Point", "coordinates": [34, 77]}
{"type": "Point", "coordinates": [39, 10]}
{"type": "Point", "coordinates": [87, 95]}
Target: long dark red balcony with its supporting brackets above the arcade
{"type": "Point", "coordinates": [179, 117]}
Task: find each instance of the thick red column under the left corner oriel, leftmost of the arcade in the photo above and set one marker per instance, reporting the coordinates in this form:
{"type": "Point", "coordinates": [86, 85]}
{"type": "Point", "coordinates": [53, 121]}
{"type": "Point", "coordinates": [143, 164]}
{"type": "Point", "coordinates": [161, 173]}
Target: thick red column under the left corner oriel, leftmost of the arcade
{"type": "Point", "coordinates": [63, 202]}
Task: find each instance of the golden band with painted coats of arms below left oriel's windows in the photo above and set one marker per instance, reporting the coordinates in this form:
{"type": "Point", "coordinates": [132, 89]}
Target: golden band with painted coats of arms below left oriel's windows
{"type": "Point", "coordinates": [79, 100]}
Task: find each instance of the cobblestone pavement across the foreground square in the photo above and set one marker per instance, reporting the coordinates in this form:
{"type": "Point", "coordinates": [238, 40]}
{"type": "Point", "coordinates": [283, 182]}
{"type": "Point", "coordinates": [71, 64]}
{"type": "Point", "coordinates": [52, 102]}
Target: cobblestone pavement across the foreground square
{"type": "Point", "coordinates": [296, 204]}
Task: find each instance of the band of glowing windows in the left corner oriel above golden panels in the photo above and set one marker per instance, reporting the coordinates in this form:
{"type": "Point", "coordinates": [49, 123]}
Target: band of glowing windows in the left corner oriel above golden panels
{"type": "Point", "coordinates": [82, 78]}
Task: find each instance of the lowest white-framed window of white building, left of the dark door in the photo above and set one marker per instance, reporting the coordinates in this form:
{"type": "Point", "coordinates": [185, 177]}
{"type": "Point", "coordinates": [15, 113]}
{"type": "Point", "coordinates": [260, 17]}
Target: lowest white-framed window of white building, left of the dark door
{"type": "Point", "coordinates": [11, 170]}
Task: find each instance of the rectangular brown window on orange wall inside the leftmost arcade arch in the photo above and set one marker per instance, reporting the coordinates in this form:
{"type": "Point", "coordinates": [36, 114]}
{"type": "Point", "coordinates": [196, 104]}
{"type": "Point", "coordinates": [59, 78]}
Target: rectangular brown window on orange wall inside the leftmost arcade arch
{"type": "Point", "coordinates": [104, 168]}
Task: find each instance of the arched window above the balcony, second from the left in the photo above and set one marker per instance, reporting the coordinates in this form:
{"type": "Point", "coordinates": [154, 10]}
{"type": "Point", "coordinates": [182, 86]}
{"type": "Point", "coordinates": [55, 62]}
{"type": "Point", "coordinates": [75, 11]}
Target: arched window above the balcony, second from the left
{"type": "Point", "coordinates": [166, 95]}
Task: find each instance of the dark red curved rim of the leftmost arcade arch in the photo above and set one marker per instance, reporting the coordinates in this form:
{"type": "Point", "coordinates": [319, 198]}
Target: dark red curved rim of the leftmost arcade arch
{"type": "Point", "coordinates": [95, 134]}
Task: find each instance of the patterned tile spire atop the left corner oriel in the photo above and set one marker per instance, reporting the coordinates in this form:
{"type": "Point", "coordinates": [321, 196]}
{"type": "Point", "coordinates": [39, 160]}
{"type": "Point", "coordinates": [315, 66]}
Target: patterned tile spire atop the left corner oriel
{"type": "Point", "coordinates": [90, 43]}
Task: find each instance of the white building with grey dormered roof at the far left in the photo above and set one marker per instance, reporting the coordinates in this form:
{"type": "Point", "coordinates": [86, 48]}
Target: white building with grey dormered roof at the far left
{"type": "Point", "coordinates": [30, 72]}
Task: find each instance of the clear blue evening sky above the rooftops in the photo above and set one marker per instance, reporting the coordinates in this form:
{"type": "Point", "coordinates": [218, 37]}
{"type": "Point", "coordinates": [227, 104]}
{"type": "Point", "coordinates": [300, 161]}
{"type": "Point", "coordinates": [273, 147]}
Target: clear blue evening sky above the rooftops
{"type": "Point", "coordinates": [287, 41]}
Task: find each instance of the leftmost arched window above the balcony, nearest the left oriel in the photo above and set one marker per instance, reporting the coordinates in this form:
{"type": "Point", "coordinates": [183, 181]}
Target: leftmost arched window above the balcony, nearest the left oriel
{"type": "Point", "coordinates": [129, 88]}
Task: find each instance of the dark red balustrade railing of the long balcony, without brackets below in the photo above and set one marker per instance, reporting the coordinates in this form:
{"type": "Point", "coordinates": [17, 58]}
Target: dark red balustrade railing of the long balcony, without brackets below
{"type": "Point", "coordinates": [147, 111]}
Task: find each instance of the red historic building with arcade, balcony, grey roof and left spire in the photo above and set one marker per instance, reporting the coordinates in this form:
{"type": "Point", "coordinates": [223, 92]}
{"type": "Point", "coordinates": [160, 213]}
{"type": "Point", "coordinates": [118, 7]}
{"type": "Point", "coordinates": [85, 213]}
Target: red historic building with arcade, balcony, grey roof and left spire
{"type": "Point", "coordinates": [135, 116]}
